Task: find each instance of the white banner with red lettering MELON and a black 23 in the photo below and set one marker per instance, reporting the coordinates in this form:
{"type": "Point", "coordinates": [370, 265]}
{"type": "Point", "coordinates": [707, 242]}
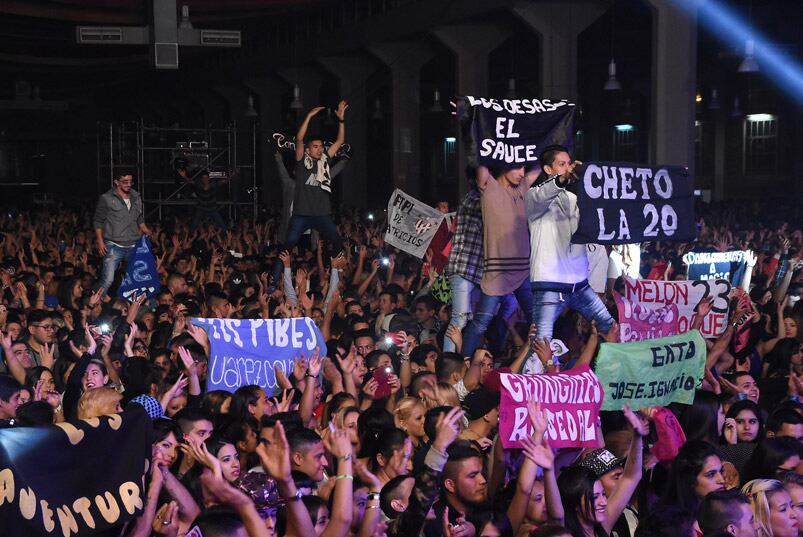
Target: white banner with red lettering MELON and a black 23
{"type": "Point", "coordinates": [685, 295]}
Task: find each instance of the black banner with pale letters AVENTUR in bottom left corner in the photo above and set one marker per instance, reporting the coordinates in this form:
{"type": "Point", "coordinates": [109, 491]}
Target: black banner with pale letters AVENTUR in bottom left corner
{"type": "Point", "coordinates": [73, 479]}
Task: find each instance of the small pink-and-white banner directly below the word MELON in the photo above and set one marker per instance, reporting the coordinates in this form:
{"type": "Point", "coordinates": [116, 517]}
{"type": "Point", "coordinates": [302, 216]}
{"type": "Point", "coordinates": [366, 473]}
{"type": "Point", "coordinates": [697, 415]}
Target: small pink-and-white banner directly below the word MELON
{"type": "Point", "coordinates": [638, 322]}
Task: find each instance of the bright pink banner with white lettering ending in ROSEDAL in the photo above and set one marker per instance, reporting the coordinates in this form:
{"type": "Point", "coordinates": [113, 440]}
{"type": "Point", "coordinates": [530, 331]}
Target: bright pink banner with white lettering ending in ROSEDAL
{"type": "Point", "coordinates": [571, 401]}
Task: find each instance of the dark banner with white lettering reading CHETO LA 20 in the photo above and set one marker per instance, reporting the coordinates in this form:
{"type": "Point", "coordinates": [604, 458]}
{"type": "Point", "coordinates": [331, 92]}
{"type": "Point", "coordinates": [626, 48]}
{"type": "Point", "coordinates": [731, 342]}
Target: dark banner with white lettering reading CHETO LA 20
{"type": "Point", "coordinates": [623, 203]}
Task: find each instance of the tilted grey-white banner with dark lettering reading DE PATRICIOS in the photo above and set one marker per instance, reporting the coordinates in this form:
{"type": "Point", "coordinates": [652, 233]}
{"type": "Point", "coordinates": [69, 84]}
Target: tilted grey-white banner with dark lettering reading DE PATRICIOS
{"type": "Point", "coordinates": [411, 224]}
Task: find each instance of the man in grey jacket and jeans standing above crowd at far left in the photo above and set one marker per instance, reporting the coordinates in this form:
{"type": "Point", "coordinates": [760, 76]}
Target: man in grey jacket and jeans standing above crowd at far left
{"type": "Point", "coordinates": [119, 222]}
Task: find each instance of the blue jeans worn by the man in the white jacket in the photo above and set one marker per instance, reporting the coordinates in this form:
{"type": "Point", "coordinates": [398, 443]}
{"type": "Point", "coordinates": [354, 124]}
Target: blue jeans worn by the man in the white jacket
{"type": "Point", "coordinates": [548, 305]}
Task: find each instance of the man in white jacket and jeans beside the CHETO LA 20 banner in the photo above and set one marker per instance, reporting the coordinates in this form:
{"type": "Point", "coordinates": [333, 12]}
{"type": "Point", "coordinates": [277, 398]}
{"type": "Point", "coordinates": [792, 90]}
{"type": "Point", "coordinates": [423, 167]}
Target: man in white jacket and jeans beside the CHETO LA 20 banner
{"type": "Point", "coordinates": [558, 268]}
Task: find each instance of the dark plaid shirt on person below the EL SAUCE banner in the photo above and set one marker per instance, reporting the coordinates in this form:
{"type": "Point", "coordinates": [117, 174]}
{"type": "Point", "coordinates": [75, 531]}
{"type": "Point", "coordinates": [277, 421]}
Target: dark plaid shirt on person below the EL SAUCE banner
{"type": "Point", "coordinates": [465, 258]}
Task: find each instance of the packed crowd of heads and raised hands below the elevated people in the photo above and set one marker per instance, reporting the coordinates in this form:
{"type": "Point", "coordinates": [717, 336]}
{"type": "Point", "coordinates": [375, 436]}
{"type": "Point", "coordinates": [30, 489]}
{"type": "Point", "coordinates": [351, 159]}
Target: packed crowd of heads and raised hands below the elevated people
{"type": "Point", "coordinates": [382, 432]}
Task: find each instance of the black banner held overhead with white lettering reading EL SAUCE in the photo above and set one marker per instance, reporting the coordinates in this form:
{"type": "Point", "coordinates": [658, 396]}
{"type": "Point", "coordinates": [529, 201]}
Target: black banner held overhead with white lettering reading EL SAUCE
{"type": "Point", "coordinates": [501, 132]}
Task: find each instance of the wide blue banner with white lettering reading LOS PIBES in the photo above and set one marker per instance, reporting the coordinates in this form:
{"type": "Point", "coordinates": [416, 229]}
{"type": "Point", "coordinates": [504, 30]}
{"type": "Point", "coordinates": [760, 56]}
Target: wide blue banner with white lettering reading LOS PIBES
{"type": "Point", "coordinates": [244, 351]}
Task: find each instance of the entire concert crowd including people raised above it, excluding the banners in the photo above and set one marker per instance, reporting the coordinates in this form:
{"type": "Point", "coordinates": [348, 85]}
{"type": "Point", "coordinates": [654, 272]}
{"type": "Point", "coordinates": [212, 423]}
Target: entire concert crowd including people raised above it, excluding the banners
{"type": "Point", "coordinates": [392, 427]}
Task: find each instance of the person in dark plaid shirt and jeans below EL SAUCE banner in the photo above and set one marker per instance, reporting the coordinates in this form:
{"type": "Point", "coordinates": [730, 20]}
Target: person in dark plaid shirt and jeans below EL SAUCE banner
{"type": "Point", "coordinates": [465, 259]}
